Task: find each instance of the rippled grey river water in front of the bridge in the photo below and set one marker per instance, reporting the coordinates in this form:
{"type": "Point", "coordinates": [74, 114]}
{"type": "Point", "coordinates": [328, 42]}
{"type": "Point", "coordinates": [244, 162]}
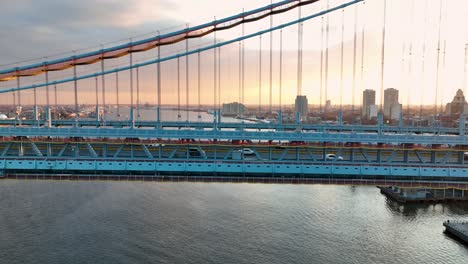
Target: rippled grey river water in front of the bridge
{"type": "Point", "coordinates": [141, 222]}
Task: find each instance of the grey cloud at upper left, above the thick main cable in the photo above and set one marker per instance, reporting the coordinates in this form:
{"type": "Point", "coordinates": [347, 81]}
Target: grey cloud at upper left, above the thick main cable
{"type": "Point", "coordinates": [32, 29]}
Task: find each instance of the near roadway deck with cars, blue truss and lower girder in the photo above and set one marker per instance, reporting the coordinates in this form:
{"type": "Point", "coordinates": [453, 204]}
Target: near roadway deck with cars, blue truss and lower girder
{"type": "Point", "coordinates": [223, 159]}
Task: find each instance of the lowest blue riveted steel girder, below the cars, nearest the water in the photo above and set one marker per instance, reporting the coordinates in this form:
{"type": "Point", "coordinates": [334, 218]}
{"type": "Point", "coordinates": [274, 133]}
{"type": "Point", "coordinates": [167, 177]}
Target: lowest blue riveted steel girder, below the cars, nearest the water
{"type": "Point", "coordinates": [232, 167]}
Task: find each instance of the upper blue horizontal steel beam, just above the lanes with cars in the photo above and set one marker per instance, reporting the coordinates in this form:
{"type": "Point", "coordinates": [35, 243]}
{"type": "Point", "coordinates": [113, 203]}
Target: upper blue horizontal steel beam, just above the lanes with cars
{"type": "Point", "coordinates": [338, 137]}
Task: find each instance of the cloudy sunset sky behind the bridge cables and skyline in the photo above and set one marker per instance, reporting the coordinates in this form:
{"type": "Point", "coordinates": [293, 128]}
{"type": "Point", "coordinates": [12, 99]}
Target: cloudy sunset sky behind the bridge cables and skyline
{"type": "Point", "coordinates": [39, 30]}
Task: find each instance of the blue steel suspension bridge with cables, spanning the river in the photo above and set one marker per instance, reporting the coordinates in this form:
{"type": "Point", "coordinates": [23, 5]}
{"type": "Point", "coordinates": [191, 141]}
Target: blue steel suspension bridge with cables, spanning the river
{"type": "Point", "coordinates": [46, 145]}
